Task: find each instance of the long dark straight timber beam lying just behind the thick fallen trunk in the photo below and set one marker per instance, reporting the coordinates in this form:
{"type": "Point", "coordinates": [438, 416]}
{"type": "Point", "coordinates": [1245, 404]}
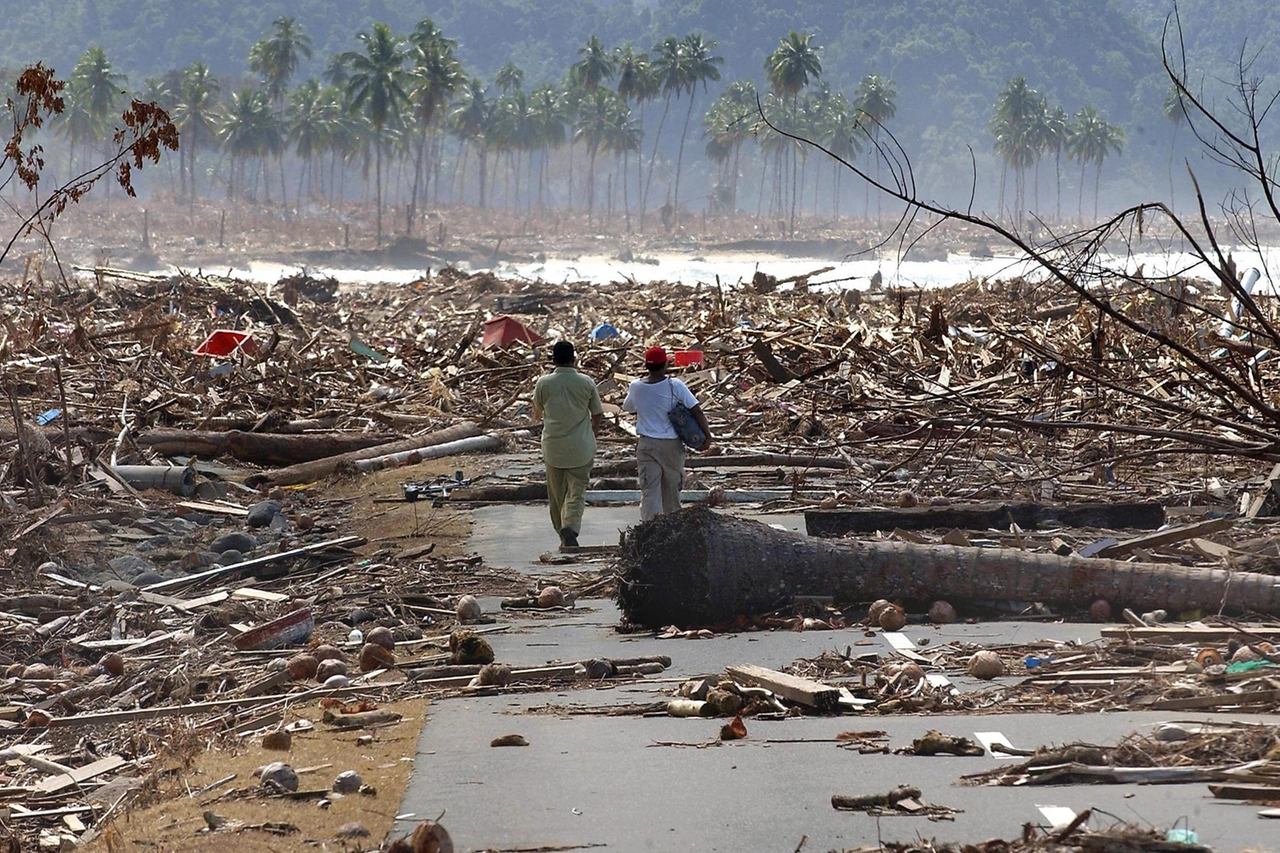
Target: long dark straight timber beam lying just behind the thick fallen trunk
{"type": "Point", "coordinates": [830, 524]}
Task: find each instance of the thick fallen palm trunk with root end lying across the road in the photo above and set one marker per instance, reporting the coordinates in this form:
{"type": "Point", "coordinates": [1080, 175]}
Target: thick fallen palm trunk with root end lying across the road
{"type": "Point", "coordinates": [698, 568]}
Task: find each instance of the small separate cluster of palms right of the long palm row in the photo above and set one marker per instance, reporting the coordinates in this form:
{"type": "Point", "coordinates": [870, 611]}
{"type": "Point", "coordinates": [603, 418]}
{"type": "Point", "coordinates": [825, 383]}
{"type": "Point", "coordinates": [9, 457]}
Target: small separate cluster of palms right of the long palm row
{"type": "Point", "coordinates": [1027, 129]}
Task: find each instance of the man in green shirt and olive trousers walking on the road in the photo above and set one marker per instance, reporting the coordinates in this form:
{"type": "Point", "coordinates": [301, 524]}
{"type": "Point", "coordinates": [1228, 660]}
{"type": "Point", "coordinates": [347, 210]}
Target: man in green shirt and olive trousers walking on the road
{"type": "Point", "coordinates": [569, 408]}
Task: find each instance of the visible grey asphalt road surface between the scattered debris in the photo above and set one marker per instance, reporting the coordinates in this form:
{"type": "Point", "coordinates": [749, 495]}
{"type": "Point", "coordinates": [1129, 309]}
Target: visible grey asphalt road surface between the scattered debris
{"type": "Point", "coordinates": [605, 781]}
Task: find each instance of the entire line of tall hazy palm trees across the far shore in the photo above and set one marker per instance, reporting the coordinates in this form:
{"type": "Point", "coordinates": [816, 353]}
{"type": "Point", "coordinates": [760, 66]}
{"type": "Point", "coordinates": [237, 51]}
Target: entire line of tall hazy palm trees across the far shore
{"type": "Point", "coordinates": [404, 108]}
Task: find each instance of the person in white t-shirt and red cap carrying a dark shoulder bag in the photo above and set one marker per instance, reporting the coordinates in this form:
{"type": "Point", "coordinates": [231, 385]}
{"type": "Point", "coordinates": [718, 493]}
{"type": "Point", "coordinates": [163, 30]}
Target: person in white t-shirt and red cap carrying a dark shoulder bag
{"type": "Point", "coordinates": [660, 453]}
